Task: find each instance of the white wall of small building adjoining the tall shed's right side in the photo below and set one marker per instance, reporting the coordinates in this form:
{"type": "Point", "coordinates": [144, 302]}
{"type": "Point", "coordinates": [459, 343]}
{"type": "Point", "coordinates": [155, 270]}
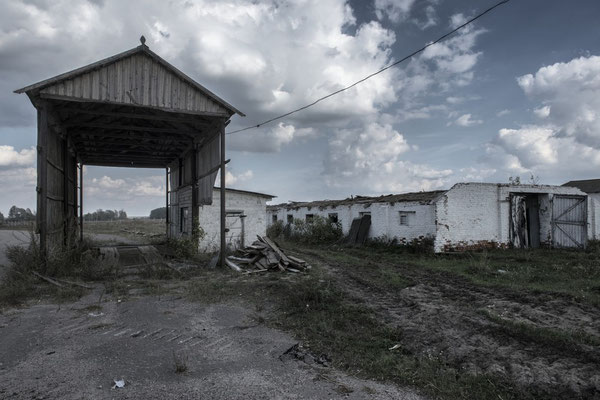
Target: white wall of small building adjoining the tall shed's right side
{"type": "Point", "coordinates": [255, 223]}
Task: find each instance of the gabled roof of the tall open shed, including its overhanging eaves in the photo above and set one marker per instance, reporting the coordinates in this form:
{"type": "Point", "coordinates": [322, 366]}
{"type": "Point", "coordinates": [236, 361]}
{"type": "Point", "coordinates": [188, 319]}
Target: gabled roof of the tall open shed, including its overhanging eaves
{"type": "Point", "coordinates": [67, 84]}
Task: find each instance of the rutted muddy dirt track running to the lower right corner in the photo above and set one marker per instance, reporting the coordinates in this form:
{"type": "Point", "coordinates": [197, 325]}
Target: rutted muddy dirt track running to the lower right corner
{"type": "Point", "coordinates": [442, 315]}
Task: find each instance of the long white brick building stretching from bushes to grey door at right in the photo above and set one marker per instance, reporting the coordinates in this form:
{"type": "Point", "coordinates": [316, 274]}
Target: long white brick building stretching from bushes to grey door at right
{"type": "Point", "coordinates": [469, 215]}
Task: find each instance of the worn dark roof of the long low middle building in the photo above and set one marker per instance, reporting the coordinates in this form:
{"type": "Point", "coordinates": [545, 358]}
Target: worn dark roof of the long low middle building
{"type": "Point", "coordinates": [420, 197]}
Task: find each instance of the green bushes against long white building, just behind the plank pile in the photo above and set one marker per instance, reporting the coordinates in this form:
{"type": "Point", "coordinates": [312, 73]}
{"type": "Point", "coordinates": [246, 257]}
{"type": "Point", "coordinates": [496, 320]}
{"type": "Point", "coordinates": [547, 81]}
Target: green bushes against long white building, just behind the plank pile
{"type": "Point", "coordinates": [319, 230]}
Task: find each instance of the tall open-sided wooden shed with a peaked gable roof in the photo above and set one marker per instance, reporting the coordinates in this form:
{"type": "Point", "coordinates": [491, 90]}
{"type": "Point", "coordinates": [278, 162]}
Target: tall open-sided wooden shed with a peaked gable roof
{"type": "Point", "coordinates": [133, 109]}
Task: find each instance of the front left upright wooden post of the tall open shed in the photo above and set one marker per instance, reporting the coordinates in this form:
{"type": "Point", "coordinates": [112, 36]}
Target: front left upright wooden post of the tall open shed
{"type": "Point", "coordinates": [42, 179]}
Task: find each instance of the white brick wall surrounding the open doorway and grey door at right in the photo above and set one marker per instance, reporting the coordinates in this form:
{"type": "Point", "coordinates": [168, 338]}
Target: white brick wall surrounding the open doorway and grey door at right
{"type": "Point", "coordinates": [476, 214]}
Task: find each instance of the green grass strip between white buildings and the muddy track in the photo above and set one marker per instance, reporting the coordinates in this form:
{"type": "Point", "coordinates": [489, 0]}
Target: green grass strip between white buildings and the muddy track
{"type": "Point", "coordinates": [569, 272]}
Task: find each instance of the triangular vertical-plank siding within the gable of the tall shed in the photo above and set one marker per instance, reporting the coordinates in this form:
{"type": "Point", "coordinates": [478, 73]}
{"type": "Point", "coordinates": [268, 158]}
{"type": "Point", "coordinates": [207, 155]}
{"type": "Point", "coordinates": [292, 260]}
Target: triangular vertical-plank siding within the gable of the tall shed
{"type": "Point", "coordinates": [137, 80]}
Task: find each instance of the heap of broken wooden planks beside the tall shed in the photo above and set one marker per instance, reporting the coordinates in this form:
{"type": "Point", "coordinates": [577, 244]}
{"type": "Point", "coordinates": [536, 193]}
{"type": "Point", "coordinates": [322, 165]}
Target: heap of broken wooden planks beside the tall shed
{"type": "Point", "coordinates": [264, 255]}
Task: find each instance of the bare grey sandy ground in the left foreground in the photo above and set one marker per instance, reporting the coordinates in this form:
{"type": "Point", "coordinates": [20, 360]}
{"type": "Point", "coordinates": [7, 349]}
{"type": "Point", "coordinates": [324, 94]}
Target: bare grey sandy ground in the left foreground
{"type": "Point", "coordinates": [76, 351]}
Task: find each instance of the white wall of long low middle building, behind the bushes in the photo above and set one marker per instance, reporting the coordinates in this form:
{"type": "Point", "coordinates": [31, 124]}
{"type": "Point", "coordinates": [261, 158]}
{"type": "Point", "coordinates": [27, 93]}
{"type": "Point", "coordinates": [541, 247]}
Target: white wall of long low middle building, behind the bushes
{"type": "Point", "coordinates": [385, 218]}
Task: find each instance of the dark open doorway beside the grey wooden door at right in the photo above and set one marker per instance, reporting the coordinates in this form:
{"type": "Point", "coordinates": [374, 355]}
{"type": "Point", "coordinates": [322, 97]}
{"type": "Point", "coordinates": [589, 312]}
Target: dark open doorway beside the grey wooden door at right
{"type": "Point", "coordinates": [525, 220]}
